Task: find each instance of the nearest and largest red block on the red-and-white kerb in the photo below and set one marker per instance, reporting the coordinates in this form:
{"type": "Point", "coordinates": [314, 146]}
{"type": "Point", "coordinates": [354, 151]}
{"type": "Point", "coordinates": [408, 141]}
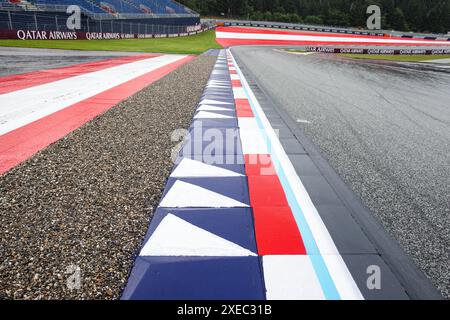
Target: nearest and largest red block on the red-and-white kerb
{"type": "Point", "coordinates": [276, 231]}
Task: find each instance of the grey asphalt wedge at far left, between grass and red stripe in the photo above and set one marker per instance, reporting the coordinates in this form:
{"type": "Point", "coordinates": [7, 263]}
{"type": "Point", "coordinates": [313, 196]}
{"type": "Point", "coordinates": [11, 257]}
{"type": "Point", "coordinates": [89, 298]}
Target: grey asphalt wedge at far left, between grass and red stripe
{"type": "Point", "coordinates": [22, 60]}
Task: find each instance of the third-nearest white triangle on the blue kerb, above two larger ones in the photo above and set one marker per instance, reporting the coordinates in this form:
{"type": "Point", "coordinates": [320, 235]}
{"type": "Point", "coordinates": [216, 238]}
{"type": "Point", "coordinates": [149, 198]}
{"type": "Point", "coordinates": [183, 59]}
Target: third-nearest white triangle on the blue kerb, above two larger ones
{"type": "Point", "coordinates": [193, 168]}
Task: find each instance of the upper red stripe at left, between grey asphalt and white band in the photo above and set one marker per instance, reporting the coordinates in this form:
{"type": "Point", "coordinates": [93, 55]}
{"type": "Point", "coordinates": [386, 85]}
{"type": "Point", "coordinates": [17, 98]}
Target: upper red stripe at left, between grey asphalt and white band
{"type": "Point", "coordinates": [26, 80]}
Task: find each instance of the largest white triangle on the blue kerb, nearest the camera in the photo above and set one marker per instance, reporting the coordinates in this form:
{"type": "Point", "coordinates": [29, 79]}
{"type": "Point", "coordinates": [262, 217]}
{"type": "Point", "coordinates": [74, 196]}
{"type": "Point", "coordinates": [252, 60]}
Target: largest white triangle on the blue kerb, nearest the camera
{"type": "Point", "coordinates": [177, 237]}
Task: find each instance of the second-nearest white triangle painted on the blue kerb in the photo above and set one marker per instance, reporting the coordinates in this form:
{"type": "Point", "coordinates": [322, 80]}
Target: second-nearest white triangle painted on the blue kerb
{"type": "Point", "coordinates": [187, 195]}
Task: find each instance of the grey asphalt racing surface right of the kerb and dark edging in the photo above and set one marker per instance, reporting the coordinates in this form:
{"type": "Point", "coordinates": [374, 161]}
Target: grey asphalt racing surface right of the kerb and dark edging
{"type": "Point", "coordinates": [385, 128]}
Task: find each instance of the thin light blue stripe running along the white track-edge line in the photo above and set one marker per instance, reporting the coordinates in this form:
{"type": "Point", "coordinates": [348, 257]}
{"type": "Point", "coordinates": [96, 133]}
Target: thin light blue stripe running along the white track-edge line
{"type": "Point", "coordinates": [320, 267]}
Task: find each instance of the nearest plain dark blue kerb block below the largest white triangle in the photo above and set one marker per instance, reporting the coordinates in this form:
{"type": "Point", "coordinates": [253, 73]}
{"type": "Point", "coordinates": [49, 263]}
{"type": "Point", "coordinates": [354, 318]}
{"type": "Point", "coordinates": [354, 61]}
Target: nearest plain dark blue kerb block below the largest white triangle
{"type": "Point", "coordinates": [196, 278]}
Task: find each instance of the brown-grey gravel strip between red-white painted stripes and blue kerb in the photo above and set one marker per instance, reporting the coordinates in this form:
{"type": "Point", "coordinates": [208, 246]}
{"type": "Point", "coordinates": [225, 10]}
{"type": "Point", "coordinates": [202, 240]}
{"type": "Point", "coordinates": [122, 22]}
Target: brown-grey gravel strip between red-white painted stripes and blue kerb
{"type": "Point", "coordinates": [87, 199]}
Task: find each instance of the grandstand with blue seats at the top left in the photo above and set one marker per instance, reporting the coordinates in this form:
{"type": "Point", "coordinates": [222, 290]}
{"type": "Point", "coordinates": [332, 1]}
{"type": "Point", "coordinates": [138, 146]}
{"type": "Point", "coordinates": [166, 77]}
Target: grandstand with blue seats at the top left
{"type": "Point", "coordinates": [123, 16]}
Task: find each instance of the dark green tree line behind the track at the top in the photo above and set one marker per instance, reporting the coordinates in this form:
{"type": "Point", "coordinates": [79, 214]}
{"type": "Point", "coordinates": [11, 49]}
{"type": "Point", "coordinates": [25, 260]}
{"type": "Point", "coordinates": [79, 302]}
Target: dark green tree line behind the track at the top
{"type": "Point", "coordinates": [402, 15]}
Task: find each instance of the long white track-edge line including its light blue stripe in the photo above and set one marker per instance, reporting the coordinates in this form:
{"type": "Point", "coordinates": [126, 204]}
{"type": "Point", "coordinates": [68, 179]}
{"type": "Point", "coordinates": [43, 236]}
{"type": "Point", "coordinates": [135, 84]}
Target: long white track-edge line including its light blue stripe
{"type": "Point", "coordinates": [332, 272]}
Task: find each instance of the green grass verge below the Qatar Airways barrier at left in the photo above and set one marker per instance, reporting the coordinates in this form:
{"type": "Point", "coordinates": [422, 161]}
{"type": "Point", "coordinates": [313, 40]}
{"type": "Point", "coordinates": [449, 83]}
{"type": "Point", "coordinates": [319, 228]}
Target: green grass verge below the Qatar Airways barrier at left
{"type": "Point", "coordinates": [196, 44]}
